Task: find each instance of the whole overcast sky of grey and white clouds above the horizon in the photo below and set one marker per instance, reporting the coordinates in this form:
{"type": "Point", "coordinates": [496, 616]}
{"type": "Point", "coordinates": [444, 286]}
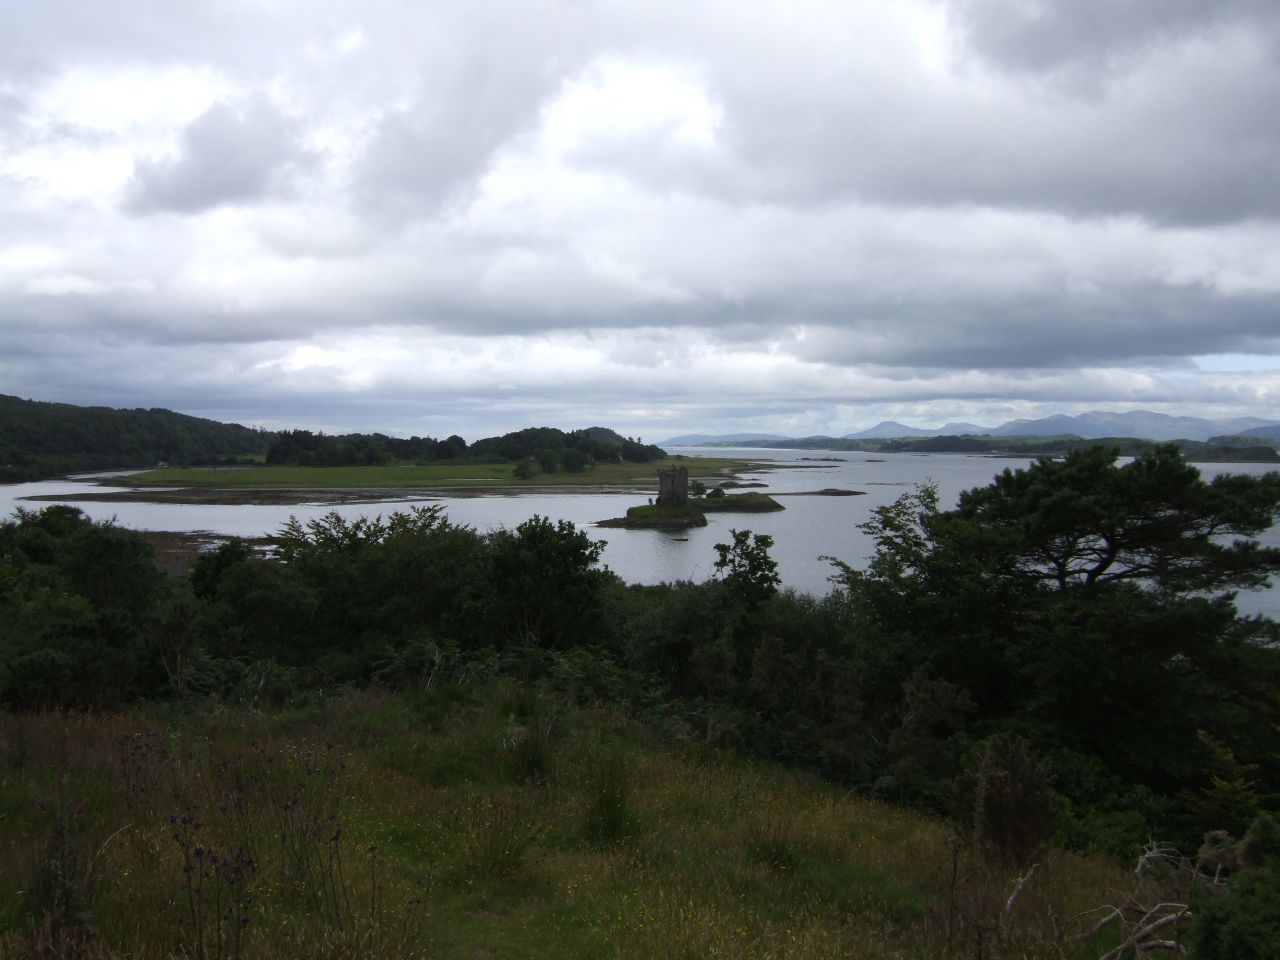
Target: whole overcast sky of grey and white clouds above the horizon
{"type": "Point", "coordinates": [477, 216]}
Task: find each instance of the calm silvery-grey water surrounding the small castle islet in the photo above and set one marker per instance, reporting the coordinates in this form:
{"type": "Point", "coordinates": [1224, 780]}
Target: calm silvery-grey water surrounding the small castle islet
{"type": "Point", "coordinates": [808, 529]}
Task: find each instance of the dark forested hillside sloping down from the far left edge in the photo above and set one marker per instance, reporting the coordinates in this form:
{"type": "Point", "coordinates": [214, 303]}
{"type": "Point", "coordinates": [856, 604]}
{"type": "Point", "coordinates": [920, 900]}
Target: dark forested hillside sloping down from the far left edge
{"type": "Point", "coordinates": [42, 440]}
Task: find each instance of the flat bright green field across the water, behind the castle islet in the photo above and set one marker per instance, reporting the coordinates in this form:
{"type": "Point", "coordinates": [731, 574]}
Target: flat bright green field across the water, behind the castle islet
{"type": "Point", "coordinates": [436, 476]}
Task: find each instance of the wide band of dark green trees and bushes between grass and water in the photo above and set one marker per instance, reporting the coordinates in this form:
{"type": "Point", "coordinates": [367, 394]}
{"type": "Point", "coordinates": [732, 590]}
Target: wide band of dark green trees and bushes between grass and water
{"type": "Point", "coordinates": [1078, 611]}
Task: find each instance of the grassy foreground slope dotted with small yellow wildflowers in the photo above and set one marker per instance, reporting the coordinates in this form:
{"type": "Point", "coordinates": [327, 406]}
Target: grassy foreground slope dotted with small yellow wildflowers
{"type": "Point", "coordinates": [490, 821]}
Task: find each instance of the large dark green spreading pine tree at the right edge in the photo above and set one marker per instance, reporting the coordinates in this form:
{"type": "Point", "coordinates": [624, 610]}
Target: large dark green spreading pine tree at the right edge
{"type": "Point", "coordinates": [1071, 600]}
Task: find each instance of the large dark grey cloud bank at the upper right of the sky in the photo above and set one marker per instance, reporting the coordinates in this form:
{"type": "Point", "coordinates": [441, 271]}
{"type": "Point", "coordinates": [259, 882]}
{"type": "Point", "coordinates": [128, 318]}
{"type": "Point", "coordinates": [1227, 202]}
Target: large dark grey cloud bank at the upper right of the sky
{"type": "Point", "coordinates": [1187, 136]}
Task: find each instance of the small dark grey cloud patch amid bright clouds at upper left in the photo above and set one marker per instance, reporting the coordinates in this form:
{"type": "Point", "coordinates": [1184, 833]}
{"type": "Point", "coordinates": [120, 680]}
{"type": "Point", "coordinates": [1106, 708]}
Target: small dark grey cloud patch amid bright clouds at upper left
{"type": "Point", "coordinates": [230, 154]}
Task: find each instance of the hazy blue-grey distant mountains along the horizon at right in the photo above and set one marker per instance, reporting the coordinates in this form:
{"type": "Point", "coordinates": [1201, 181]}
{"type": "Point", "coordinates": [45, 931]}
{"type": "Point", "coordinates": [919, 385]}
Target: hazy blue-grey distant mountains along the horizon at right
{"type": "Point", "coordinates": [1140, 424]}
